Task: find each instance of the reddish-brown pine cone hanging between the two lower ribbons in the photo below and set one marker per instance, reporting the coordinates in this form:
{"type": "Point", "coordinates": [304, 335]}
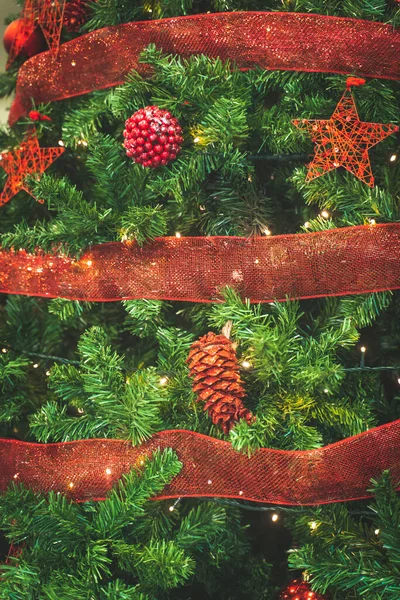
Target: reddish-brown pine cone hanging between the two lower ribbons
{"type": "Point", "coordinates": [215, 371]}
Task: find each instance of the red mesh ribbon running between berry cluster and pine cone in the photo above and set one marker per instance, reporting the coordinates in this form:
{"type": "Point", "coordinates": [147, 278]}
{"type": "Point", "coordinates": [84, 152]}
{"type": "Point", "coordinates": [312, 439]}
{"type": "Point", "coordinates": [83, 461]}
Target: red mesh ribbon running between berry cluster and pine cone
{"type": "Point", "coordinates": [336, 262]}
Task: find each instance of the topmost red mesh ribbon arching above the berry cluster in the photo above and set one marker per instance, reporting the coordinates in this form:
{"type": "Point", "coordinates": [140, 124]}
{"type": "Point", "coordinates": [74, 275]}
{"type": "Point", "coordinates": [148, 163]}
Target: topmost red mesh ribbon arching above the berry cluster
{"type": "Point", "coordinates": [287, 41]}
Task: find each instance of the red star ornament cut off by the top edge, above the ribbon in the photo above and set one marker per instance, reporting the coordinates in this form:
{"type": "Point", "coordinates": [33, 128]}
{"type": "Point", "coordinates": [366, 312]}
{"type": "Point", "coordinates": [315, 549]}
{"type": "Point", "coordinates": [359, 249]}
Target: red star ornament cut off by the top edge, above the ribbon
{"type": "Point", "coordinates": [48, 14]}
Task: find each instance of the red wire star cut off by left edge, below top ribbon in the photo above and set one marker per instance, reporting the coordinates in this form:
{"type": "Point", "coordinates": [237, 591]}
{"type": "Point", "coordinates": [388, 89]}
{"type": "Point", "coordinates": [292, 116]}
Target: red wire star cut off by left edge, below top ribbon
{"type": "Point", "coordinates": [28, 159]}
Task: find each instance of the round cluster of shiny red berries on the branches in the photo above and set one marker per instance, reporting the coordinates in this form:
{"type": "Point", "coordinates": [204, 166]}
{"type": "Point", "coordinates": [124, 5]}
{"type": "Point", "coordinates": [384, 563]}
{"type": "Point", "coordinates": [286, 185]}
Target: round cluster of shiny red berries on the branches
{"type": "Point", "coordinates": [152, 137]}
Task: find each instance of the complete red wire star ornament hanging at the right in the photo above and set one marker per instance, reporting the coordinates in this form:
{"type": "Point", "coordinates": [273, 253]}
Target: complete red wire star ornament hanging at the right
{"type": "Point", "coordinates": [344, 140]}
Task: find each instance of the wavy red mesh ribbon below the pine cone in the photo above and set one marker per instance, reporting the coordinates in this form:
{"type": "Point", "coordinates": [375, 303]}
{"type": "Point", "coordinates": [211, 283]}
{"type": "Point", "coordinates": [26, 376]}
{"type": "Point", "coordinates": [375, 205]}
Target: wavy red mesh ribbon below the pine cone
{"type": "Point", "coordinates": [87, 469]}
